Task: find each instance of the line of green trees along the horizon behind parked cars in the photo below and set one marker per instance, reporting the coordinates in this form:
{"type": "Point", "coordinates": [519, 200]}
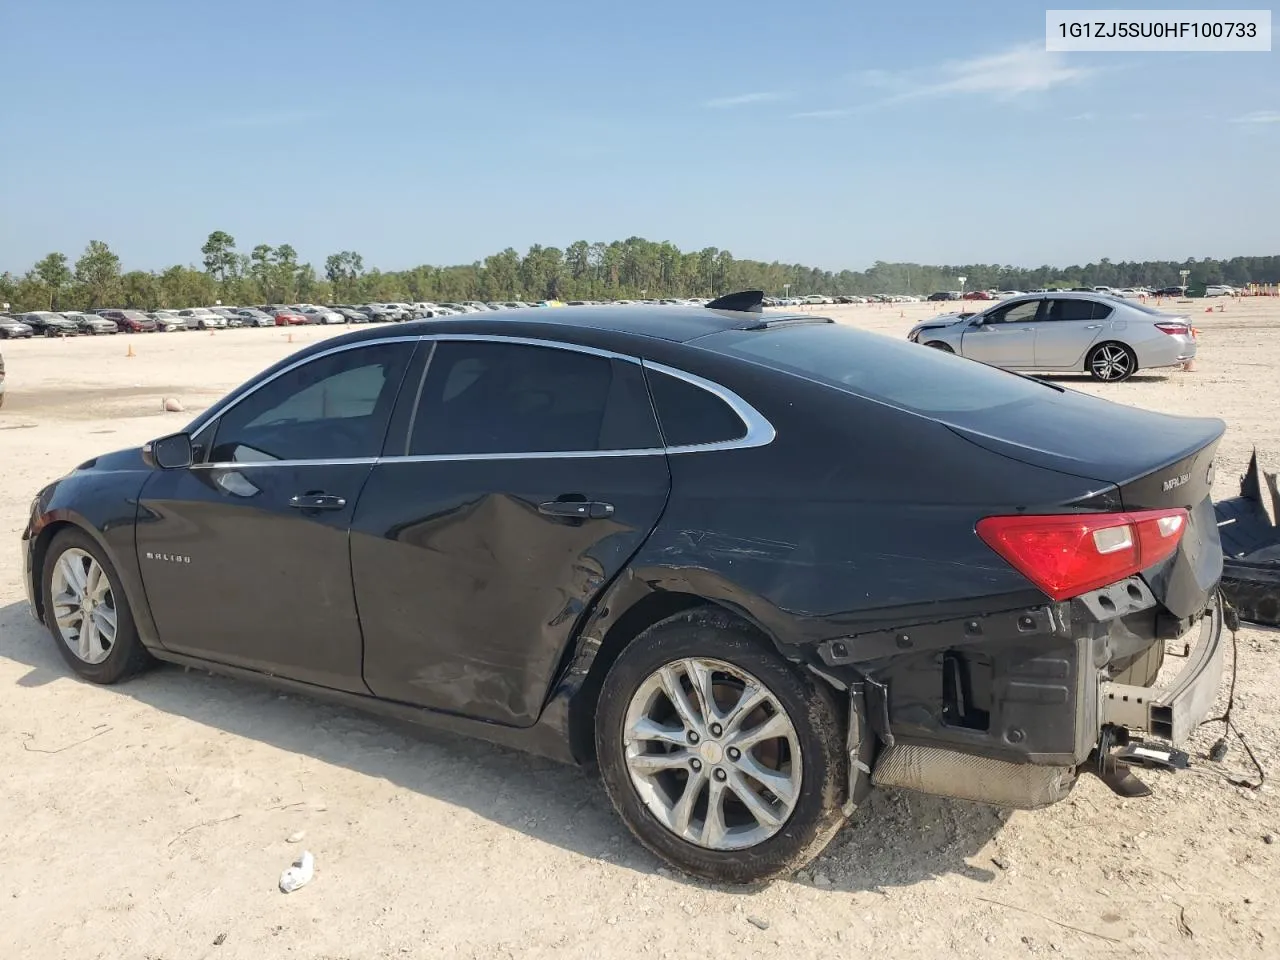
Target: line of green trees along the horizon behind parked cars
{"type": "Point", "coordinates": [634, 268]}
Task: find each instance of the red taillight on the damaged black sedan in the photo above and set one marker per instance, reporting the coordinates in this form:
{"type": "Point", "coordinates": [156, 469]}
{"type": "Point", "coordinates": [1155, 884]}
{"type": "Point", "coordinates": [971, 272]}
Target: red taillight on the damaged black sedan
{"type": "Point", "coordinates": [1069, 555]}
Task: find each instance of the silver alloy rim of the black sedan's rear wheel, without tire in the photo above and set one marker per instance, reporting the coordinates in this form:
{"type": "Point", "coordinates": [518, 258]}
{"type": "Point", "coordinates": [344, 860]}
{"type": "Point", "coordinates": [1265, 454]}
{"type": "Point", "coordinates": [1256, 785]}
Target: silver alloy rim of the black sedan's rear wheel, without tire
{"type": "Point", "coordinates": [712, 755]}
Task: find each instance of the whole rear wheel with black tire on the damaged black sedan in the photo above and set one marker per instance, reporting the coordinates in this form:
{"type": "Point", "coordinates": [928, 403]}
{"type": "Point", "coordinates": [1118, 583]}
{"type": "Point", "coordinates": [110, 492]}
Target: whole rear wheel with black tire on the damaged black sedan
{"type": "Point", "coordinates": [720, 757]}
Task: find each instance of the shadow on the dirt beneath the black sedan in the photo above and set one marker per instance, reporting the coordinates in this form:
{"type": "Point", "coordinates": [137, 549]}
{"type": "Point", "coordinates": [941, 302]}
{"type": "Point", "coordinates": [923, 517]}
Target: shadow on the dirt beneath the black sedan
{"type": "Point", "coordinates": [895, 839]}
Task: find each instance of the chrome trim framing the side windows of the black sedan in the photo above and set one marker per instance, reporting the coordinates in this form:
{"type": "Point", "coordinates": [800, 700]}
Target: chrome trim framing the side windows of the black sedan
{"type": "Point", "coordinates": [760, 431]}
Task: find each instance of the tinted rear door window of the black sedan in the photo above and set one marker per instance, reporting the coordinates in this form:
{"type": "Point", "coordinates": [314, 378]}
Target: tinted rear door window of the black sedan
{"type": "Point", "coordinates": [492, 397]}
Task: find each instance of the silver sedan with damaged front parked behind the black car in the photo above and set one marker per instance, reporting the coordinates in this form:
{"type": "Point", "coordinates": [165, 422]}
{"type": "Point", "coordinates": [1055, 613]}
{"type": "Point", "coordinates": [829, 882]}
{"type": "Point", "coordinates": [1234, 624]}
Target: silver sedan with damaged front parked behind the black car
{"type": "Point", "coordinates": [1103, 336]}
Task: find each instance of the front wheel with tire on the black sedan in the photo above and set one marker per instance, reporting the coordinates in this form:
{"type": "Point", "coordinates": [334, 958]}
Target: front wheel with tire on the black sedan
{"type": "Point", "coordinates": [88, 614]}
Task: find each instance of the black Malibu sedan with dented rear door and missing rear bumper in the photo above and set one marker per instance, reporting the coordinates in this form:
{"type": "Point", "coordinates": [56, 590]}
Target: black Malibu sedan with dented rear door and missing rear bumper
{"type": "Point", "coordinates": [751, 565]}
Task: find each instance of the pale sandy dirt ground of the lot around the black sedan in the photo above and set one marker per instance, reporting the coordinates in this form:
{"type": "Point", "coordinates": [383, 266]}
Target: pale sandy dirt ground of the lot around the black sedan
{"type": "Point", "coordinates": [153, 820]}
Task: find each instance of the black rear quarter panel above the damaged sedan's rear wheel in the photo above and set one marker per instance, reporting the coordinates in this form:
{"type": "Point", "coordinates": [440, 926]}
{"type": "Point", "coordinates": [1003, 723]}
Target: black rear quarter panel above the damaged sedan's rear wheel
{"type": "Point", "coordinates": [856, 515]}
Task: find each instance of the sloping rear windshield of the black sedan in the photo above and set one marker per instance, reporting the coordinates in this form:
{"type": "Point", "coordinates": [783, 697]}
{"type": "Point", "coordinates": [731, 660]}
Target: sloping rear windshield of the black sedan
{"type": "Point", "coordinates": [899, 373]}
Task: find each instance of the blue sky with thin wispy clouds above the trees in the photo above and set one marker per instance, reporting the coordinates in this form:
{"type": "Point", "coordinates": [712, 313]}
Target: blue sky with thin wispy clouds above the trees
{"type": "Point", "coordinates": [816, 132]}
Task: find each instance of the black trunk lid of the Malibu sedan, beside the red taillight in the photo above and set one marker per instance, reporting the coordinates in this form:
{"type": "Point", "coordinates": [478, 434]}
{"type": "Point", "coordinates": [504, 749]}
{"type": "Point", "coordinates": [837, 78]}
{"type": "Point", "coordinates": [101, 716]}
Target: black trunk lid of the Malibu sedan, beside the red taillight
{"type": "Point", "coordinates": [1137, 460]}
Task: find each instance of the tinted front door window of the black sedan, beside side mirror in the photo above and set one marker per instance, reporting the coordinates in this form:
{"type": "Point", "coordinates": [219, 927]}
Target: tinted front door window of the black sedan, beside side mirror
{"type": "Point", "coordinates": [333, 408]}
